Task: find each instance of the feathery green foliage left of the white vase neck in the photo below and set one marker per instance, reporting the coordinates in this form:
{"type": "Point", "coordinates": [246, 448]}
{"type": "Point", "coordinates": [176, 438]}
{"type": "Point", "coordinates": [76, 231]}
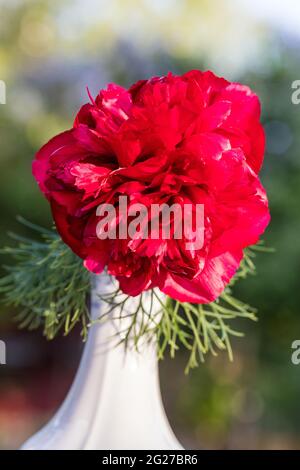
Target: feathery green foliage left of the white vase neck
{"type": "Point", "coordinates": [47, 282]}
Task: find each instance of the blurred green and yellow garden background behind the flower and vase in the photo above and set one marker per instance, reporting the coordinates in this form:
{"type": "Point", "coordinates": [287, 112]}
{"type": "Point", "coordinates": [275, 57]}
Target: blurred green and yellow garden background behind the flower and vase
{"type": "Point", "coordinates": [49, 52]}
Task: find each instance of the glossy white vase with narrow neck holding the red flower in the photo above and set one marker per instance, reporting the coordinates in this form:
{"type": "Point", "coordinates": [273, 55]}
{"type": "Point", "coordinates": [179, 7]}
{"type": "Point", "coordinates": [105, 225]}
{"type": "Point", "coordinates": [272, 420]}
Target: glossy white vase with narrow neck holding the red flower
{"type": "Point", "coordinates": [115, 400]}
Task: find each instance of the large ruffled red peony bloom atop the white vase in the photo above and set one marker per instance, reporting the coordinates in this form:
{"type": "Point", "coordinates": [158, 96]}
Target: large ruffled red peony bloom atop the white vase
{"type": "Point", "coordinates": [193, 139]}
